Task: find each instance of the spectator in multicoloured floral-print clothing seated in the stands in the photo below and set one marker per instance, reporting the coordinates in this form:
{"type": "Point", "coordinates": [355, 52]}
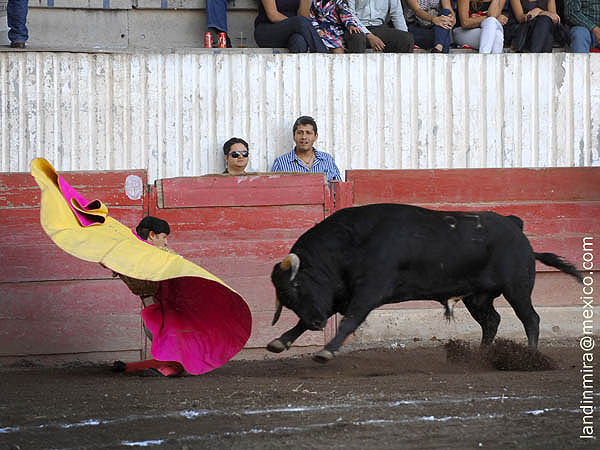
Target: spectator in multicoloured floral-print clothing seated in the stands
{"type": "Point", "coordinates": [331, 18]}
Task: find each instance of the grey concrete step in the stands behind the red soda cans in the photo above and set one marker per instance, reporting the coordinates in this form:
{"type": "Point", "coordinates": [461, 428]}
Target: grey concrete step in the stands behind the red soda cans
{"type": "Point", "coordinates": [130, 24]}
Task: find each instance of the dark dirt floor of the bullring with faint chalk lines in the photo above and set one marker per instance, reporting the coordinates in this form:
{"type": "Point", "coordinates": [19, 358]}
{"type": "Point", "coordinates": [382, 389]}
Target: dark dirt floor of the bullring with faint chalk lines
{"type": "Point", "coordinates": [389, 397]}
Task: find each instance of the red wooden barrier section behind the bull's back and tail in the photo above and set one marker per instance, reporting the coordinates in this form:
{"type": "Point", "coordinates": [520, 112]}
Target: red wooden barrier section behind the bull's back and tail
{"type": "Point", "coordinates": [559, 207]}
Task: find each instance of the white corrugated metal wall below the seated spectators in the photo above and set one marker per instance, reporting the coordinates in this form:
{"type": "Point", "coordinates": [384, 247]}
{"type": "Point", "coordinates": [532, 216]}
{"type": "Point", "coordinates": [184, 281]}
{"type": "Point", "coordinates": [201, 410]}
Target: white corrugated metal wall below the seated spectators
{"type": "Point", "coordinates": [171, 113]}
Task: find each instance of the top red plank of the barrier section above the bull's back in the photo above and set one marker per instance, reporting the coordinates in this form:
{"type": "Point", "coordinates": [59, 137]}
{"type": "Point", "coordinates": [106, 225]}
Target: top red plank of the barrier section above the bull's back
{"type": "Point", "coordinates": [475, 185]}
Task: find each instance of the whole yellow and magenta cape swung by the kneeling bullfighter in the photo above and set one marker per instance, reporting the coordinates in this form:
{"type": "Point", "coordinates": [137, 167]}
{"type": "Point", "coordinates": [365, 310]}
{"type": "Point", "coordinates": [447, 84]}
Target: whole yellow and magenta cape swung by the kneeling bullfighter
{"type": "Point", "coordinates": [197, 319]}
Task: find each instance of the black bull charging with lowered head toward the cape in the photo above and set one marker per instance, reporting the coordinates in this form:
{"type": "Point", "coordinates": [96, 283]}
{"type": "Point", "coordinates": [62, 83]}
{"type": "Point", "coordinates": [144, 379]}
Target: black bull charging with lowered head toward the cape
{"type": "Point", "coordinates": [361, 258]}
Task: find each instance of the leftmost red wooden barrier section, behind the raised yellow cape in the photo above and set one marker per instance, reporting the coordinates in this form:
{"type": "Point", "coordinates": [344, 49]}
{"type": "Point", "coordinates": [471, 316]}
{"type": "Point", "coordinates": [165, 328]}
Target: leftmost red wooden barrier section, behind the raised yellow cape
{"type": "Point", "coordinates": [52, 302]}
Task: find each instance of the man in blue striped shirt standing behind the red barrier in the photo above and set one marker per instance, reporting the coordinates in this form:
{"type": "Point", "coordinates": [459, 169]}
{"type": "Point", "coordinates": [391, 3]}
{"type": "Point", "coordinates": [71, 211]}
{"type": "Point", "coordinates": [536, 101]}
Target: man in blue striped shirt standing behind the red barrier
{"type": "Point", "coordinates": [304, 157]}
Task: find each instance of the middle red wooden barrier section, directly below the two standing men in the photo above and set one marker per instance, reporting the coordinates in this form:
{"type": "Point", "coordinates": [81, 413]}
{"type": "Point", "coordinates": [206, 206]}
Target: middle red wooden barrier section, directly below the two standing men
{"type": "Point", "coordinates": [239, 227]}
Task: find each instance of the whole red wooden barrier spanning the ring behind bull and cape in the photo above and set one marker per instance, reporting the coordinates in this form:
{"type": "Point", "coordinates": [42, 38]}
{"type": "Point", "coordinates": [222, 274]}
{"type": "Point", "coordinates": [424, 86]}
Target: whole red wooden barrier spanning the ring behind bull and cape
{"type": "Point", "coordinates": [53, 304]}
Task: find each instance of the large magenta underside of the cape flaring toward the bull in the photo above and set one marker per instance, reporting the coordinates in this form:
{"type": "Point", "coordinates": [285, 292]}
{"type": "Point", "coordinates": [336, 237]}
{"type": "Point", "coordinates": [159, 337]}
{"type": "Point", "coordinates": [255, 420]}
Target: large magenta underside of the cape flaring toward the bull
{"type": "Point", "coordinates": [190, 327]}
